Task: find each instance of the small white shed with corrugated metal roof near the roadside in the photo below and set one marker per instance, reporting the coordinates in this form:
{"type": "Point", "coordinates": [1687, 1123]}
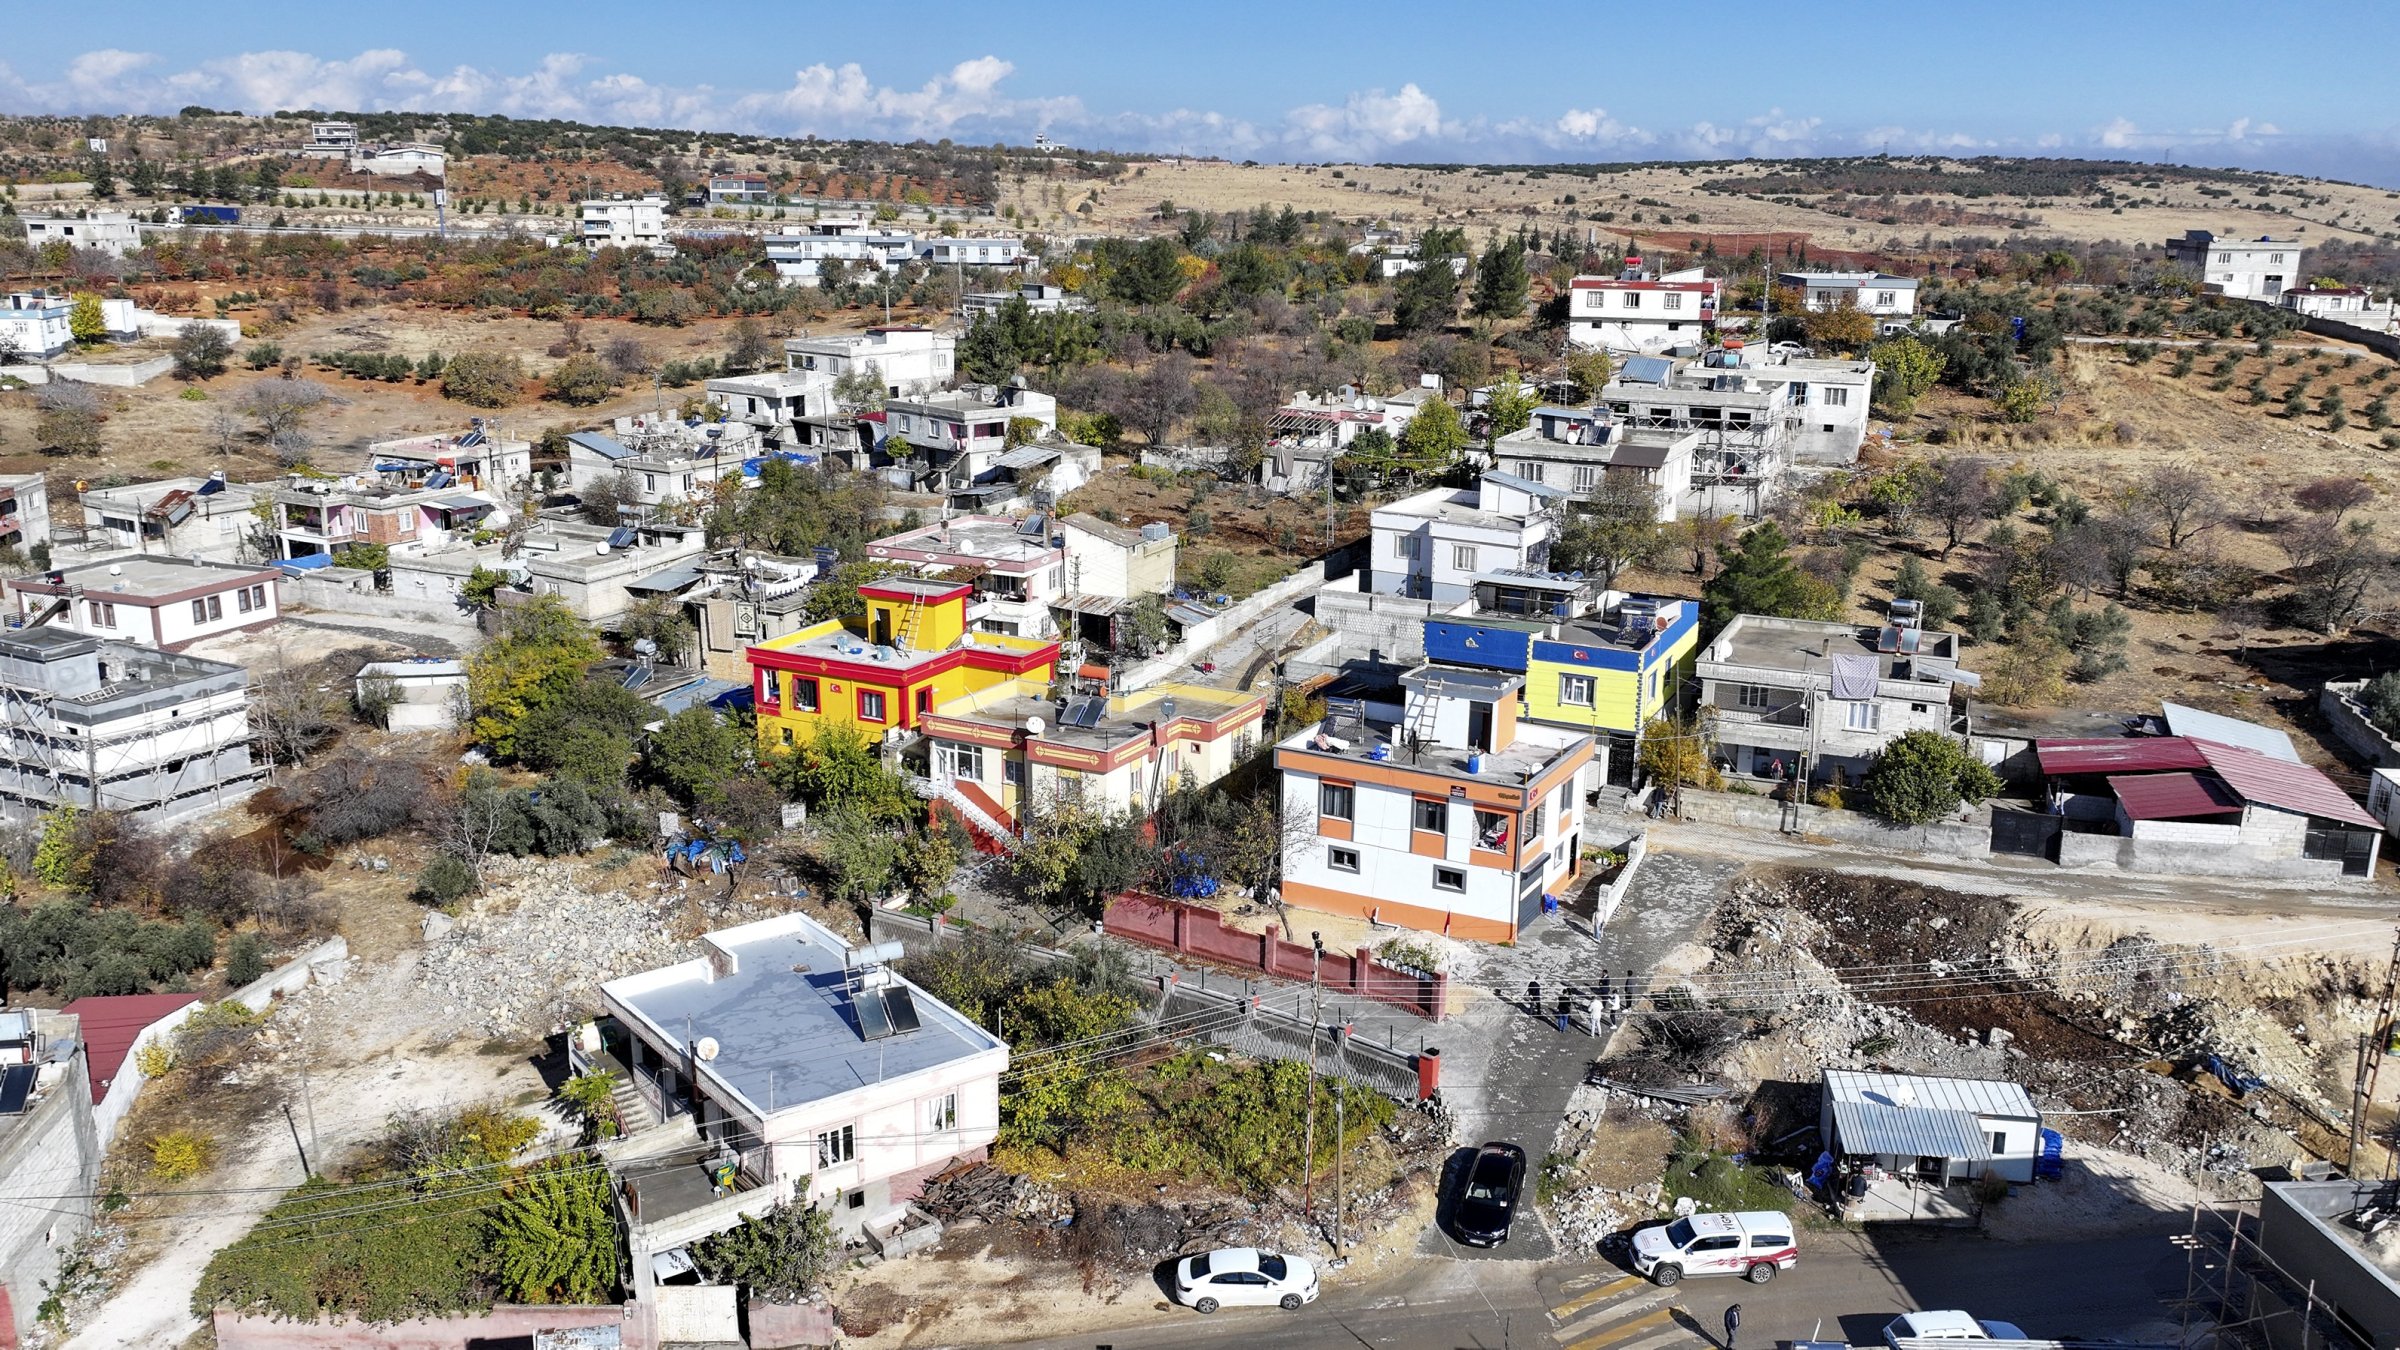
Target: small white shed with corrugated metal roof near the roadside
{"type": "Point", "coordinates": [1938, 1130]}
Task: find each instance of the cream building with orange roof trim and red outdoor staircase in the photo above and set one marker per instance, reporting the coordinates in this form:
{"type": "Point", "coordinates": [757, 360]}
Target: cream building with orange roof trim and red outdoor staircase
{"type": "Point", "coordinates": [1012, 746]}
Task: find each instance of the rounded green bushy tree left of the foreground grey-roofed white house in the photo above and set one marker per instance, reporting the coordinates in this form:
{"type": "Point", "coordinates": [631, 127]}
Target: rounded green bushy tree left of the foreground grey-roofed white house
{"type": "Point", "coordinates": [556, 1233]}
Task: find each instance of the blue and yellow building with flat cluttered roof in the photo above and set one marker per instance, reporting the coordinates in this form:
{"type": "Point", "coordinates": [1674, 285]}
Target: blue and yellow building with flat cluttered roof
{"type": "Point", "coordinates": [1602, 664]}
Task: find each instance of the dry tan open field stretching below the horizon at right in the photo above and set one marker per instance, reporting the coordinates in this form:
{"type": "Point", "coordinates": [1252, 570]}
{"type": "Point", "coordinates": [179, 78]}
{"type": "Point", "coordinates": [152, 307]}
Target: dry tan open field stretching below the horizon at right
{"type": "Point", "coordinates": [1501, 201]}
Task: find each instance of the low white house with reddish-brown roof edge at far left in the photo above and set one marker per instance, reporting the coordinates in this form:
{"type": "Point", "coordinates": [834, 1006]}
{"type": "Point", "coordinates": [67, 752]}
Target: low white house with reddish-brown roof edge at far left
{"type": "Point", "coordinates": [152, 602]}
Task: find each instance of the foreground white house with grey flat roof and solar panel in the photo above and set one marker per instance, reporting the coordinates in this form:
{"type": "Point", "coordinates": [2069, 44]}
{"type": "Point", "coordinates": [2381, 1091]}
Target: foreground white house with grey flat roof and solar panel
{"type": "Point", "coordinates": [798, 1068]}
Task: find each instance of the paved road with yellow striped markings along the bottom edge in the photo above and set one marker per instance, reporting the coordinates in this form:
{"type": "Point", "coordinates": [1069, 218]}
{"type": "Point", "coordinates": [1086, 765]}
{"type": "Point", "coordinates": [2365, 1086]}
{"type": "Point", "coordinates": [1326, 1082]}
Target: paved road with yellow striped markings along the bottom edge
{"type": "Point", "coordinates": [1847, 1286]}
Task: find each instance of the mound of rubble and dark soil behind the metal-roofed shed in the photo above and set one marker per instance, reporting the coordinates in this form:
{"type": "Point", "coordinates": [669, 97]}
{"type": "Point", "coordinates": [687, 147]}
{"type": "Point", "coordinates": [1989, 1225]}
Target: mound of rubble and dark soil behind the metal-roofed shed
{"type": "Point", "coordinates": [2118, 1037]}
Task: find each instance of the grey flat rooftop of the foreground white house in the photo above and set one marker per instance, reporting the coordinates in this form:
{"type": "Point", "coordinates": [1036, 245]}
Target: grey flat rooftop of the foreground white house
{"type": "Point", "coordinates": [786, 1017]}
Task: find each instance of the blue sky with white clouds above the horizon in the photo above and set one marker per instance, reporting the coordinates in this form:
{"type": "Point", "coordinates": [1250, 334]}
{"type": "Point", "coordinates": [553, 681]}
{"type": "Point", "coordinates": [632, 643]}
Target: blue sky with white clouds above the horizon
{"type": "Point", "coordinates": [1564, 80]}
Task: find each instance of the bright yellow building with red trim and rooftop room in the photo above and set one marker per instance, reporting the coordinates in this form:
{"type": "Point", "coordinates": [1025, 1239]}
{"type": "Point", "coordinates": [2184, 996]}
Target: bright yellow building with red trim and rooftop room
{"type": "Point", "coordinates": [908, 657]}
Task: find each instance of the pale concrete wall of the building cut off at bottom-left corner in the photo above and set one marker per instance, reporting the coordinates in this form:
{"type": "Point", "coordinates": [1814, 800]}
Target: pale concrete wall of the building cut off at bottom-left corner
{"type": "Point", "coordinates": [52, 1152]}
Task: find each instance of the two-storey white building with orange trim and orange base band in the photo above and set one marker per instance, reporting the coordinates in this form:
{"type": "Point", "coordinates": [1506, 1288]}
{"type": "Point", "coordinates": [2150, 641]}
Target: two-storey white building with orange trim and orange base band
{"type": "Point", "coordinates": [1453, 820]}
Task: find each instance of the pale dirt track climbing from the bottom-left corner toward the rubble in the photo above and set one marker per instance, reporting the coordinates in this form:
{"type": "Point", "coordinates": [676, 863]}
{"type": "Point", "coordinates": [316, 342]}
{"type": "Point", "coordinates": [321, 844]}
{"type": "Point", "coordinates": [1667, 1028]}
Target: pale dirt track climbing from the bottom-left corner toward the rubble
{"type": "Point", "coordinates": [354, 1087]}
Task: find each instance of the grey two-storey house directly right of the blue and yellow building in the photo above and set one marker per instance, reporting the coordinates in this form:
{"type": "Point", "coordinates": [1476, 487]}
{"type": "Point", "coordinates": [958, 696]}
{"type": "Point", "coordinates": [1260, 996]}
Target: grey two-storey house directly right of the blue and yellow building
{"type": "Point", "coordinates": [1801, 695]}
